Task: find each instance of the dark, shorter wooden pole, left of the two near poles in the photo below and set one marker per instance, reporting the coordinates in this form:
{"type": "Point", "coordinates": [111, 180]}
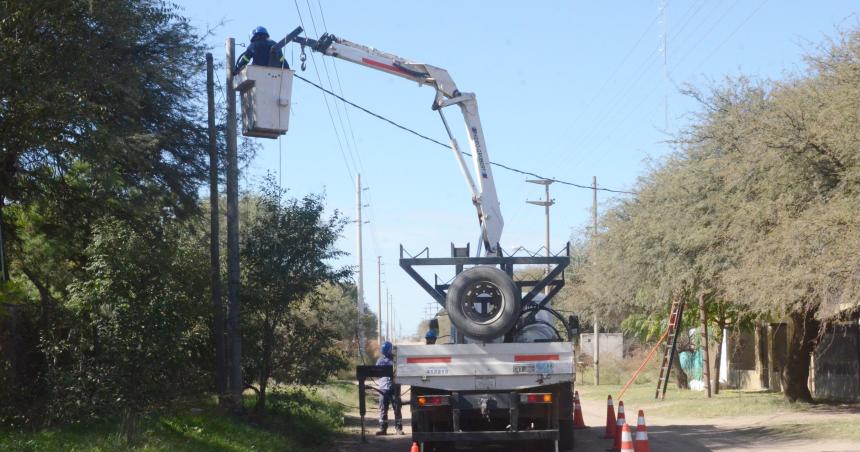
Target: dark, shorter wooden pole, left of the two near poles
{"type": "Point", "coordinates": [214, 240]}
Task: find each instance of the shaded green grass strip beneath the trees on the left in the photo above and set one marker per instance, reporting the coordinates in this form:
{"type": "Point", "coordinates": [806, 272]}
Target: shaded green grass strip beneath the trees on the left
{"type": "Point", "coordinates": [298, 420]}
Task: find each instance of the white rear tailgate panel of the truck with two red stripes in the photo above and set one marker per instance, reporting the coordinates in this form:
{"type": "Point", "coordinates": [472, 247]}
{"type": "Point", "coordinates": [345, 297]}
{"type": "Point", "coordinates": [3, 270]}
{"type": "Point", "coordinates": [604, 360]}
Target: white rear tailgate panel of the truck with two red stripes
{"type": "Point", "coordinates": [469, 367]}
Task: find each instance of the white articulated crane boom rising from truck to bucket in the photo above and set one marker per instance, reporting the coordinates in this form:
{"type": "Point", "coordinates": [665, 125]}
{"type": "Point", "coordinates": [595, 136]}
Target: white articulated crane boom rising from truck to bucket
{"type": "Point", "coordinates": [482, 186]}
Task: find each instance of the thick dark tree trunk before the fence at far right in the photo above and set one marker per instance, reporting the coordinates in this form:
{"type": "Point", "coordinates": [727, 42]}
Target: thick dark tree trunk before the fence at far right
{"type": "Point", "coordinates": [802, 333]}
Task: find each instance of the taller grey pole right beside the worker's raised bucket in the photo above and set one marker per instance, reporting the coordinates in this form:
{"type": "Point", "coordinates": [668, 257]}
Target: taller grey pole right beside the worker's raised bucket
{"type": "Point", "coordinates": [233, 320]}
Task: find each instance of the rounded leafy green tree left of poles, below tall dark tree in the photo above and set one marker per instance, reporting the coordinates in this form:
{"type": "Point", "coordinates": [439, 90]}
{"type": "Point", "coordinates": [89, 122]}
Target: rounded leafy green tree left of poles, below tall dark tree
{"type": "Point", "coordinates": [136, 322]}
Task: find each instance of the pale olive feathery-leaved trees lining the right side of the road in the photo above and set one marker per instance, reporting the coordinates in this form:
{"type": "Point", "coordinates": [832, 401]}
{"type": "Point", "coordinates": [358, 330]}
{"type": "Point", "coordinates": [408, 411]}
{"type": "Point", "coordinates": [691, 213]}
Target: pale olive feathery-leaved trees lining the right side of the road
{"type": "Point", "coordinates": [752, 216]}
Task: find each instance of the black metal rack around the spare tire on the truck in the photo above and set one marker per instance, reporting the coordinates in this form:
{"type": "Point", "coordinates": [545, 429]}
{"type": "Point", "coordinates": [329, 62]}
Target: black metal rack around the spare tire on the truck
{"type": "Point", "coordinates": [554, 280]}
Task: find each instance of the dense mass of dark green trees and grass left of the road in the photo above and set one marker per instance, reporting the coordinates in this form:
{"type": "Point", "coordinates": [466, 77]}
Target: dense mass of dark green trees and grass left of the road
{"type": "Point", "coordinates": [107, 323]}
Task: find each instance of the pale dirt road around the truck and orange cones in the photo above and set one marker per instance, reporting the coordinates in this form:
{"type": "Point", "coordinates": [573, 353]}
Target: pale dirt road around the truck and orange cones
{"type": "Point", "coordinates": [747, 433]}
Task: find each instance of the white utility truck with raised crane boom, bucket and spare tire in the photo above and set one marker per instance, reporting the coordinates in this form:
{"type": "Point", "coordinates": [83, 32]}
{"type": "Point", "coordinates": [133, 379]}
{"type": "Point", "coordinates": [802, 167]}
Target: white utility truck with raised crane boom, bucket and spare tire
{"type": "Point", "coordinates": [507, 372]}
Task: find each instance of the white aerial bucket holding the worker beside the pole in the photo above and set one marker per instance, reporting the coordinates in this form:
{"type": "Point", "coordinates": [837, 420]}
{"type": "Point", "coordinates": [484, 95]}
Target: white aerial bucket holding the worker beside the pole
{"type": "Point", "coordinates": [265, 94]}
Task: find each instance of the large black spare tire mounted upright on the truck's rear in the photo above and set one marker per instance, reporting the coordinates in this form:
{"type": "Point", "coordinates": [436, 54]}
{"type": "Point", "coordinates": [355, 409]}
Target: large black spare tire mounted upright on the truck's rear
{"type": "Point", "coordinates": [483, 303]}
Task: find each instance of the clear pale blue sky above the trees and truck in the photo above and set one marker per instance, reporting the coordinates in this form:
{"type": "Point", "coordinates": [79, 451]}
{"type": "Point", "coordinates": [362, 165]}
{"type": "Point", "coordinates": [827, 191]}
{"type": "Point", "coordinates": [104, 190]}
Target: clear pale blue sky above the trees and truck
{"type": "Point", "coordinates": [568, 90]}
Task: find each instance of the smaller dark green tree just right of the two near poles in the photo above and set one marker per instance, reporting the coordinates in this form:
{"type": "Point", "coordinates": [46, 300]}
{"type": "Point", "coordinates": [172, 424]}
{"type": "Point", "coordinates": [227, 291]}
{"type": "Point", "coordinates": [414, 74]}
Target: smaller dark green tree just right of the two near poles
{"type": "Point", "coordinates": [286, 256]}
